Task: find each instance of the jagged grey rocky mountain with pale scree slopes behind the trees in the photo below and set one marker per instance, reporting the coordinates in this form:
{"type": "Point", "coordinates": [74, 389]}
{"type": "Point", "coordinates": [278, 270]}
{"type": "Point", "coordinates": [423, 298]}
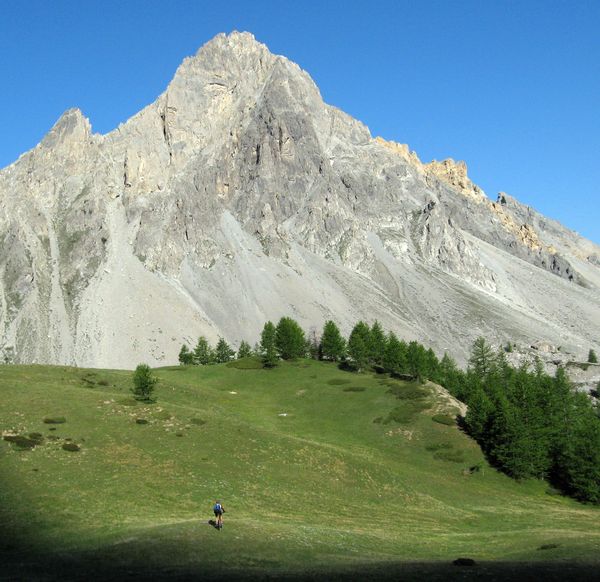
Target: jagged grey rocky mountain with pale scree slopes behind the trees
{"type": "Point", "coordinates": [239, 196]}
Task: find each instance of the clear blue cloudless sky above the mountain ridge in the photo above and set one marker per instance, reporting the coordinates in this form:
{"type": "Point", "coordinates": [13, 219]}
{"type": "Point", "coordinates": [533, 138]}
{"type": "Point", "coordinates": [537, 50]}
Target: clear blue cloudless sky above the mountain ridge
{"type": "Point", "coordinates": [512, 88]}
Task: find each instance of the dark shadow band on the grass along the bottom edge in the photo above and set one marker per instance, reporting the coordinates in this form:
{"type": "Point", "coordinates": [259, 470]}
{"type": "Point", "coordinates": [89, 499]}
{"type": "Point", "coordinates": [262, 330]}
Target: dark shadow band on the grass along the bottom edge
{"type": "Point", "coordinates": [22, 560]}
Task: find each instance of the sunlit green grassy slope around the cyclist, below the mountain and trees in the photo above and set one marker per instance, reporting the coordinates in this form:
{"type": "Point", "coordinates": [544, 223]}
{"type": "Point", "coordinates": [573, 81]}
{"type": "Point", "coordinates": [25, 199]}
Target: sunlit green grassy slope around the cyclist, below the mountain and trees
{"type": "Point", "coordinates": [324, 486]}
